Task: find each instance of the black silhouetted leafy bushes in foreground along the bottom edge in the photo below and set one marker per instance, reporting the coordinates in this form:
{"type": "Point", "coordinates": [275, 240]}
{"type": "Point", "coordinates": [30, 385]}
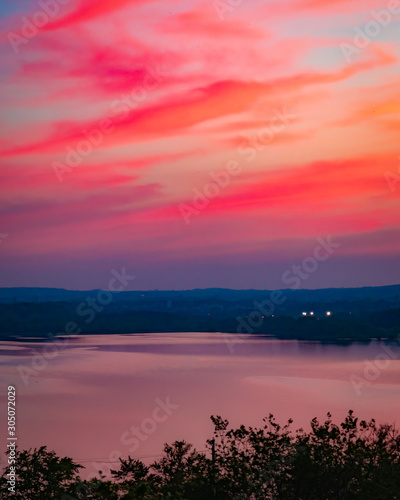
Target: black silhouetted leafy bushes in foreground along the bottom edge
{"type": "Point", "coordinates": [356, 460]}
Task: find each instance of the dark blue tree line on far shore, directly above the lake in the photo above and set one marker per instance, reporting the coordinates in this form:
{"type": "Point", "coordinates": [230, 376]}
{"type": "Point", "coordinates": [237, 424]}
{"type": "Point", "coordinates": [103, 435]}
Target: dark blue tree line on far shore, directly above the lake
{"type": "Point", "coordinates": [30, 319]}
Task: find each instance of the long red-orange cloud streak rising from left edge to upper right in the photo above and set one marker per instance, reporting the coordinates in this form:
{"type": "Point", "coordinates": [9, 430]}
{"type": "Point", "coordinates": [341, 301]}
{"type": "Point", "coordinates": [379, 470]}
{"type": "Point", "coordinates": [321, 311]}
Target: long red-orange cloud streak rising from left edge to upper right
{"type": "Point", "coordinates": [179, 113]}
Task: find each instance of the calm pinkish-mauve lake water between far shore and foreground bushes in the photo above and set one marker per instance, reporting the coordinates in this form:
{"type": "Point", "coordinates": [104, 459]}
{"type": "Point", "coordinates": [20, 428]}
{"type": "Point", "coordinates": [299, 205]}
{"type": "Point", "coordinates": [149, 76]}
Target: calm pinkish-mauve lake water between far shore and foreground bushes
{"type": "Point", "coordinates": [98, 397]}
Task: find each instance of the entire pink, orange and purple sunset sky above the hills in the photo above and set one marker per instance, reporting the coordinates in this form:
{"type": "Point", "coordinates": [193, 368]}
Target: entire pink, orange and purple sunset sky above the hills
{"type": "Point", "coordinates": [120, 118]}
